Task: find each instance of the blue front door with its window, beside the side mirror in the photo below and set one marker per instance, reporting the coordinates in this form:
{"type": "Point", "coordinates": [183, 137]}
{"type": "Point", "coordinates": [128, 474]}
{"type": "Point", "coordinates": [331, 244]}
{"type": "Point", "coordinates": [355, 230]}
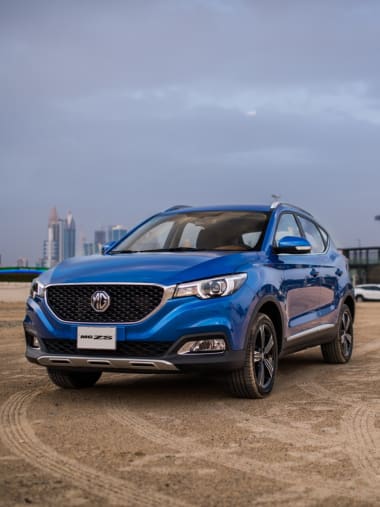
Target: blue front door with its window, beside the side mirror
{"type": "Point", "coordinates": [300, 285]}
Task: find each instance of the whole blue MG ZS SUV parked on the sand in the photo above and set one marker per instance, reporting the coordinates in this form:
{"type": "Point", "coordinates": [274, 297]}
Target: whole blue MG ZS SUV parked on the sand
{"type": "Point", "coordinates": [228, 289]}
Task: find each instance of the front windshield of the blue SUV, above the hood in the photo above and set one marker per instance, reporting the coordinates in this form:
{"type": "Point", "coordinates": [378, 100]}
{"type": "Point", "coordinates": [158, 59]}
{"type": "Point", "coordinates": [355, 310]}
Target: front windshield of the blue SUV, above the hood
{"type": "Point", "coordinates": [205, 230]}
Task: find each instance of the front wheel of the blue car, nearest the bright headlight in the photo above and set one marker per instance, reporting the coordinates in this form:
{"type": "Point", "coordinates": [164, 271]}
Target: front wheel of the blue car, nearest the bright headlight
{"type": "Point", "coordinates": [256, 378]}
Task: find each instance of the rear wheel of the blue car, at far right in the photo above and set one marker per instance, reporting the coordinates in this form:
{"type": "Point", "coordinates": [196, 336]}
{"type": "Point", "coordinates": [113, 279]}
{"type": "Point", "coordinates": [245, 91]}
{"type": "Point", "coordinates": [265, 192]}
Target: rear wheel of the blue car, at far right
{"type": "Point", "coordinates": [339, 351]}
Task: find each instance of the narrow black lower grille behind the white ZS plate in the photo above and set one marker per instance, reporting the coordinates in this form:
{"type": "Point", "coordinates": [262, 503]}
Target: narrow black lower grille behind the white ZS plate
{"type": "Point", "coordinates": [124, 349]}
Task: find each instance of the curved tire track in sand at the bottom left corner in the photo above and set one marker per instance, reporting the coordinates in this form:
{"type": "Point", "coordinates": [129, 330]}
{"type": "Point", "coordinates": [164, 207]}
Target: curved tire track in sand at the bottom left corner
{"type": "Point", "coordinates": [19, 437]}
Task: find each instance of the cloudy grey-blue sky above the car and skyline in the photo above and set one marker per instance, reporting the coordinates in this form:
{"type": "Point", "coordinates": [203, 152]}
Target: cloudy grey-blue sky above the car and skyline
{"type": "Point", "coordinates": [118, 109]}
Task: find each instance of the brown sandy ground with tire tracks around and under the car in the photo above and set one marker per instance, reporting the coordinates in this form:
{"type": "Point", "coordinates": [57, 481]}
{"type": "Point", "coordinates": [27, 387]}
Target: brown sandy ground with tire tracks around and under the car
{"type": "Point", "coordinates": [149, 440]}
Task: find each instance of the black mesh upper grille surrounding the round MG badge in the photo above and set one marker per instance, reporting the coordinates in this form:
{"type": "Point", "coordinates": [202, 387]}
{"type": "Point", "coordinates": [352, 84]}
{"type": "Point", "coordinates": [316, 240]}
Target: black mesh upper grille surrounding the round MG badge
{"type": "Point", "coordinates": [129, 303]}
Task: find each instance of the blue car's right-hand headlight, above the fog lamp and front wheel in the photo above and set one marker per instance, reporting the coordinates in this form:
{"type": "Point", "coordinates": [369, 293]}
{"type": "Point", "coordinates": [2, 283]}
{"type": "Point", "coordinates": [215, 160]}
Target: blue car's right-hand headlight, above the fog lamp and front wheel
{"type": "Point", "coordinates": [211, 287]}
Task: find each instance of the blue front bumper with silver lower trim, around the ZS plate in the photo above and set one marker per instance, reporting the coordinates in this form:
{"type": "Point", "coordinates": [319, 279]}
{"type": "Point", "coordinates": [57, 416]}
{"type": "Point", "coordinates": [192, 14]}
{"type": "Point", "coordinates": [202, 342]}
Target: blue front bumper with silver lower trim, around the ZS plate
{"type": "Point", "coordinates": [178, 321]}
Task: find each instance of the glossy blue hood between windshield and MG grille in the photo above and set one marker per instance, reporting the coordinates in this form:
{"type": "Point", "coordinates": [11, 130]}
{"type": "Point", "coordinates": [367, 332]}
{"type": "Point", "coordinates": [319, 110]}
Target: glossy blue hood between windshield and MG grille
{"type": "Point", "coordinates": [166, 268]}
